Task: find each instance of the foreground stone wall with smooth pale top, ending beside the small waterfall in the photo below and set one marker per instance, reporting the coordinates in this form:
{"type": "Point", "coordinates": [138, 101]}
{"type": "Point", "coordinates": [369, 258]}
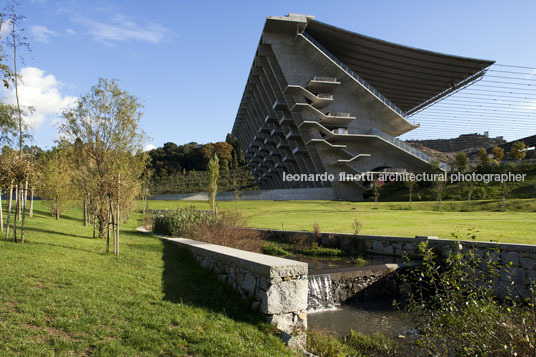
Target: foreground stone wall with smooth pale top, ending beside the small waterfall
{"type": "Point", "coordinates": [277, 286]}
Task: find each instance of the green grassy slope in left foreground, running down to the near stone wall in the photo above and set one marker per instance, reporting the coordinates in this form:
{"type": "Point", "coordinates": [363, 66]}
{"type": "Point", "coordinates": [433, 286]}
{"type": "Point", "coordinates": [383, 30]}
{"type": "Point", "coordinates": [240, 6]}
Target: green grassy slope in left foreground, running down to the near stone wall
{"type": "Point", "coordinates": [60, 293]}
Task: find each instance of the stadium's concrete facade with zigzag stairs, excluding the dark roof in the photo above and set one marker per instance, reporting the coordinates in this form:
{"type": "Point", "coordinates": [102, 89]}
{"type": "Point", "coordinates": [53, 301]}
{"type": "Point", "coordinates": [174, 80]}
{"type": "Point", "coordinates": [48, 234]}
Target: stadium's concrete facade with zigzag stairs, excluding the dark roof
{"type": "Point", "coordinates": [306, 112]}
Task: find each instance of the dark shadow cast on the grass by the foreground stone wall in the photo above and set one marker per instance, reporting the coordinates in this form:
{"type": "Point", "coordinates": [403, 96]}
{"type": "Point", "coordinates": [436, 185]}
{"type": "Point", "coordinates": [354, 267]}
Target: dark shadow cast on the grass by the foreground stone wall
{"type": "Point", "coordinates": [185, 281]}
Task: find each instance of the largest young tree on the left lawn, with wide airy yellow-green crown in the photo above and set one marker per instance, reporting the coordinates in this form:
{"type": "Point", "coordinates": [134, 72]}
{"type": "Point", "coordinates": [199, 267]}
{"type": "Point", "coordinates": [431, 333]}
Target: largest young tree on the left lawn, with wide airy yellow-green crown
{"type": "Point", "coordinates": [105, 123]}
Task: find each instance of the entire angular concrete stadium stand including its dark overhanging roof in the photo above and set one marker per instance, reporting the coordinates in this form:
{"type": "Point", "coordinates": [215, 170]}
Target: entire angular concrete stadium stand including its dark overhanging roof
{"type": "Point", "coordinates": [322, 99]}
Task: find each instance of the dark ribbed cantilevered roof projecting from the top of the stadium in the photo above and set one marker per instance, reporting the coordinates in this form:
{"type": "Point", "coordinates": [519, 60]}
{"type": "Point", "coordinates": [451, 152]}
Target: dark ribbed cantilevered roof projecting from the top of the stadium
{"type": "Point", "coordinates": [411, 78]}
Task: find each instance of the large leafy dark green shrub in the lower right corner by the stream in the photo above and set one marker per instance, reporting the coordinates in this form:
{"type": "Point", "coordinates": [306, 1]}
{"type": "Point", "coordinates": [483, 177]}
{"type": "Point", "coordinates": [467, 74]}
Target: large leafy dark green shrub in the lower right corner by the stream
{"type": "Point", "coordinates": [455, 309]}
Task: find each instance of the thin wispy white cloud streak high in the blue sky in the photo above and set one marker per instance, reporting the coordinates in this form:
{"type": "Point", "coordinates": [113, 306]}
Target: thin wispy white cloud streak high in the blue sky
{"type": "Point", "coordinates": [121, 29]}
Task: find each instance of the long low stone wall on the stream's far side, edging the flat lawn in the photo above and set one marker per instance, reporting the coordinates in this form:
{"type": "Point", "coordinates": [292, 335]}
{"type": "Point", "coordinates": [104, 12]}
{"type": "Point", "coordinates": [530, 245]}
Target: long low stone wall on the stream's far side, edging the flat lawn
{"type": "Point", "coordinates": [514, 281]}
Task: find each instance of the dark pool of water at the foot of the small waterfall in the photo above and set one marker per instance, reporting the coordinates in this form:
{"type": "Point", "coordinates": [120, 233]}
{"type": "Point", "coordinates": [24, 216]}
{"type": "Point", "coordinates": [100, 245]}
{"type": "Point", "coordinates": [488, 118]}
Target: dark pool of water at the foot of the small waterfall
{"type": "Point", "coordinates": [364, 319]}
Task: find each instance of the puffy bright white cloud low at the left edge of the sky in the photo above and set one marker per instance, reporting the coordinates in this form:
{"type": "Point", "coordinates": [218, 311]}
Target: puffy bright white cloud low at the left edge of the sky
{"type": "Point", "coordinates": [42, 92]}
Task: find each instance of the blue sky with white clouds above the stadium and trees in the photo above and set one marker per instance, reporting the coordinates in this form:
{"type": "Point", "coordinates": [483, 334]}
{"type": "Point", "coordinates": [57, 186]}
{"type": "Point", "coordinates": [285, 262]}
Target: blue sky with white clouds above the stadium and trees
{"type": "Point", "coordinates": [188, 61]}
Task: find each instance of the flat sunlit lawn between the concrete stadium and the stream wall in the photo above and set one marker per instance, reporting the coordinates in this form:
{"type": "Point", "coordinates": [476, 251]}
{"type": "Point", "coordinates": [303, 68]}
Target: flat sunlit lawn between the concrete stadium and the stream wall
{"type": "Point", "coordinates": [516, 224]}
